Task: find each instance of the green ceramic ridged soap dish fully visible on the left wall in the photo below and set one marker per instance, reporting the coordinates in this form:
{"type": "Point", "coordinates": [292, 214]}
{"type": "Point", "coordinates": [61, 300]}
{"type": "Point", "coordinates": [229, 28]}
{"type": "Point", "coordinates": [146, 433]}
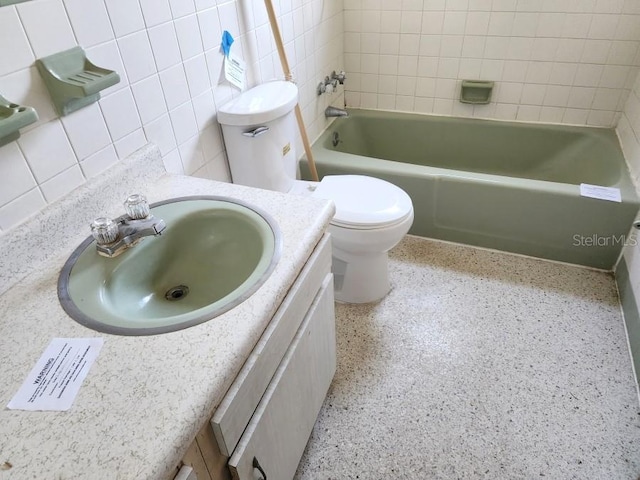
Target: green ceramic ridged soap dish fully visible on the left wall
{"type": "Point", "coordinates": [72, 80]}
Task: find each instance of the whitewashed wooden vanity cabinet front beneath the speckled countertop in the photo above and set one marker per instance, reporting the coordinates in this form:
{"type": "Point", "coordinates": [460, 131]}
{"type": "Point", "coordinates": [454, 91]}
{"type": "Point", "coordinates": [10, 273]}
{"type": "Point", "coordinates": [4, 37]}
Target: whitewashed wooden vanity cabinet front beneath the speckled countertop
{"type": "Point", "coordinates": [263, 423]}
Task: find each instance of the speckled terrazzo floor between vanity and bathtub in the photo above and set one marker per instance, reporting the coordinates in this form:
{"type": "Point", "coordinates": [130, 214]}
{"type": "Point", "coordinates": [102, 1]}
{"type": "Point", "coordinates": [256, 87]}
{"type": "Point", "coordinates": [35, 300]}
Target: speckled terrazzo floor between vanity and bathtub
{"type": "Point", "coordinates": [480, 365]}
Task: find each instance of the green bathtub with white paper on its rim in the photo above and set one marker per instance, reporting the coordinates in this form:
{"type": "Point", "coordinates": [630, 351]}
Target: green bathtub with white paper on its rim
{"type": "Point", "coordinates": [501, 185]}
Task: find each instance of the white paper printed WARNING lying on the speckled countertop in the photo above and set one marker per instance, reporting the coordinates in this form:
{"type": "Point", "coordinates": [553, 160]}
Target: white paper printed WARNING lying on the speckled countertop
{"type": "Point", "coordinates": [55, 380]}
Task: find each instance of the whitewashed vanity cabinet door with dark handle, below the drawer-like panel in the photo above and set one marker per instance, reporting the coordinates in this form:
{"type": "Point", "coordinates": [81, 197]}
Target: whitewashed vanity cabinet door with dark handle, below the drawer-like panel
{"type": "Point", "coordinates": [279, 430]}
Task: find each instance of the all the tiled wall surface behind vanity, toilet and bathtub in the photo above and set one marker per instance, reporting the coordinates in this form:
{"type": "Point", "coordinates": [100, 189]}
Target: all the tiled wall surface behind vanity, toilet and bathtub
{"type": "Point", "coordinates": [569, 62]}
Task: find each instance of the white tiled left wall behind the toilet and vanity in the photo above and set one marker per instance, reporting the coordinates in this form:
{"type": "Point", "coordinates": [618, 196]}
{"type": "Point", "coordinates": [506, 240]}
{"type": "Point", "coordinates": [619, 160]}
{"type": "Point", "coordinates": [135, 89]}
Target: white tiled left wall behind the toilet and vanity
{"type": "Point", "coordinates": [167, 55]}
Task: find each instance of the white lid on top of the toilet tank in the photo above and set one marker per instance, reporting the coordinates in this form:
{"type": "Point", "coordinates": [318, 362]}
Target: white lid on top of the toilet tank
{"type": "Point", "coordinates": [260, 104]}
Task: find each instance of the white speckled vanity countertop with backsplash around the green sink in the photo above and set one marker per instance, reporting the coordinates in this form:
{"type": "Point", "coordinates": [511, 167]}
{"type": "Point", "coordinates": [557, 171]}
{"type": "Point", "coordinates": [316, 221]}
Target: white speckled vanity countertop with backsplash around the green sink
{"type": "Point", "coordinates": [145, 398]}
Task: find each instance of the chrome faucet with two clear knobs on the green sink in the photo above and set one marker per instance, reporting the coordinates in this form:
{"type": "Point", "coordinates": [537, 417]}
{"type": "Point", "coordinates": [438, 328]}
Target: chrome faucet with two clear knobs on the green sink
{"type": "Point", "coordinates": [114, 236]}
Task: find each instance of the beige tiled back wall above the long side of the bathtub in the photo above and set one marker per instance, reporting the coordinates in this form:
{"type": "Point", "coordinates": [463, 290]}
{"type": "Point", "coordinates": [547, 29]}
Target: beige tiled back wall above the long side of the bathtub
{"type": "Point", "coordinates": [552, 61]}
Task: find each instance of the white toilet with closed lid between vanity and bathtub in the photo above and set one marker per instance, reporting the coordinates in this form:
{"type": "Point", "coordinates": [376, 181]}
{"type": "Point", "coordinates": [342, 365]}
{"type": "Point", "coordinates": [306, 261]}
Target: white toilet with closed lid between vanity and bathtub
{"type": "Point", "coordinates": [372, 215]}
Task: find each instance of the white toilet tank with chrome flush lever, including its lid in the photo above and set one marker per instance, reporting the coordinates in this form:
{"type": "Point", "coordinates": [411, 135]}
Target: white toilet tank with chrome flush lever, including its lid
{"type": "Point", "coordinates": [259, 129]}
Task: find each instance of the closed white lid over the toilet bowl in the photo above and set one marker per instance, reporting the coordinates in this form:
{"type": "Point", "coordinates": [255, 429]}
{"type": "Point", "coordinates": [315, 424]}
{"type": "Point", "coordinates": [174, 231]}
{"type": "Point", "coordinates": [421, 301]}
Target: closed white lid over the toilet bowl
{"type": "Point", "coordinates": [364, 202]}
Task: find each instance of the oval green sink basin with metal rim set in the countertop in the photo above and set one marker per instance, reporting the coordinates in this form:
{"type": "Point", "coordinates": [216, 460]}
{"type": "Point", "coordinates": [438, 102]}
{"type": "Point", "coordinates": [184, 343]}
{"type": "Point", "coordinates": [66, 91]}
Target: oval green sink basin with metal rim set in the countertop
{"type": "Point", "coordinates": [214, 253]}
